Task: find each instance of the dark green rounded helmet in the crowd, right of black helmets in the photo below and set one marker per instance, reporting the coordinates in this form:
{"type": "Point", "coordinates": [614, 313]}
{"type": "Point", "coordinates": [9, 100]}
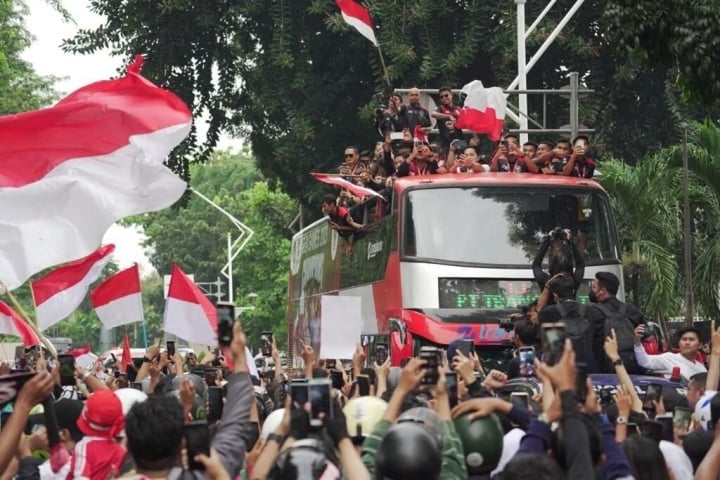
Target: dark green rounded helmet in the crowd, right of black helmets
{"type": "Point", "coordinates": [482, 441]}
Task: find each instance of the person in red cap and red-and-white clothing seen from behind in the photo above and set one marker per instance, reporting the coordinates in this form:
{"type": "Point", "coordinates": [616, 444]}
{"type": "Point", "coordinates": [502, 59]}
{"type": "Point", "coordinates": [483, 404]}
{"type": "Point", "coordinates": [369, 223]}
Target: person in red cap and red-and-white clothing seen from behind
{"type": "Point", "coordinates": [98, 456]}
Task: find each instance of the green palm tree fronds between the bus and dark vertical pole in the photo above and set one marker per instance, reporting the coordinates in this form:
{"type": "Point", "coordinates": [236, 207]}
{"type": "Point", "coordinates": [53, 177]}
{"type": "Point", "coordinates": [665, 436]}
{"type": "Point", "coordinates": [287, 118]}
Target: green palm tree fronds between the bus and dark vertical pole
{"type": "Point", "coordinates": [645, 199]}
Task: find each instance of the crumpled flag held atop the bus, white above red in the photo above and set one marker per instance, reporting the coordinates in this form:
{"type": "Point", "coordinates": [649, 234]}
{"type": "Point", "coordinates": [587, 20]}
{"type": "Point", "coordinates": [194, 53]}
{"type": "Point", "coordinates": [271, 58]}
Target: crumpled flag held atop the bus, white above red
{"type": "Point", "coordinates": [483, 111]}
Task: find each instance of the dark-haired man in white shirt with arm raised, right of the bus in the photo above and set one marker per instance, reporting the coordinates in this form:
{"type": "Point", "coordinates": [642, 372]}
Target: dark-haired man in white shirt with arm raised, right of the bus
{"type": "Point", "coordinates": [686, 359]}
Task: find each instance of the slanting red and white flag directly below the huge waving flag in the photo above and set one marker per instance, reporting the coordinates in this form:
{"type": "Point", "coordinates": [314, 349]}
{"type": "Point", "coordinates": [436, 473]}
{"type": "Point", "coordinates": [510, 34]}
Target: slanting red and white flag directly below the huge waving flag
{"type": "Point", "coordinates": [60, 292]}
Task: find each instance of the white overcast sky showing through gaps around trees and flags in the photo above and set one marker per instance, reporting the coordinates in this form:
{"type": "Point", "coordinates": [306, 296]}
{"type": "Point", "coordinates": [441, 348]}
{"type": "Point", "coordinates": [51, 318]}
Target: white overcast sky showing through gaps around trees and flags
{"type": "Point", "coordinates": [49, 29]}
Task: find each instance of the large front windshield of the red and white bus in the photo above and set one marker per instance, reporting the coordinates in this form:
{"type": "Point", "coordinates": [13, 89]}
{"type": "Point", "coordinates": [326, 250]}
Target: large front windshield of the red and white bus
{"type": "Point", "coordinates": [503, 226]}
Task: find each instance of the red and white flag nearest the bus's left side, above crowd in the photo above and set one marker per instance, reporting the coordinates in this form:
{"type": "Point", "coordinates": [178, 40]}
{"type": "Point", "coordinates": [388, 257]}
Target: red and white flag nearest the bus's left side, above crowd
{"type": "Point", "coordinates": [188, 312]}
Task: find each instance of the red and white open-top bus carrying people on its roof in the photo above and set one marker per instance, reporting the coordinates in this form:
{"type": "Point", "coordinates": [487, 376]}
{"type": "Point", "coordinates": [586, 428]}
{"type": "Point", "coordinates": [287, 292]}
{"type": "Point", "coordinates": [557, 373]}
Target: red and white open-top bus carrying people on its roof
{"type": "Point", "coordinates": [449, 257]}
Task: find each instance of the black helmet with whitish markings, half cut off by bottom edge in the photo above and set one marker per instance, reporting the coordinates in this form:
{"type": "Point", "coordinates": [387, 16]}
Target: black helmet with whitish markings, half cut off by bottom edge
{"type": "Point", "coordinates": [305, 460]}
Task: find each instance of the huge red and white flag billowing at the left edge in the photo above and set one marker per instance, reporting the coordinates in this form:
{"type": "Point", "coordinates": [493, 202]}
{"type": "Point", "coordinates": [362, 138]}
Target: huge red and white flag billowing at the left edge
{"type": "Point", "coordinates": [68, 172]}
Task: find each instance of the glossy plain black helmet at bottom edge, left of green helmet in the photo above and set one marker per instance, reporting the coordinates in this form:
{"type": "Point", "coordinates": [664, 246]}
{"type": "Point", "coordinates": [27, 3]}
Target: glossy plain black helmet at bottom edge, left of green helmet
{"type": "Point", "coordinates": [408, 452]}
